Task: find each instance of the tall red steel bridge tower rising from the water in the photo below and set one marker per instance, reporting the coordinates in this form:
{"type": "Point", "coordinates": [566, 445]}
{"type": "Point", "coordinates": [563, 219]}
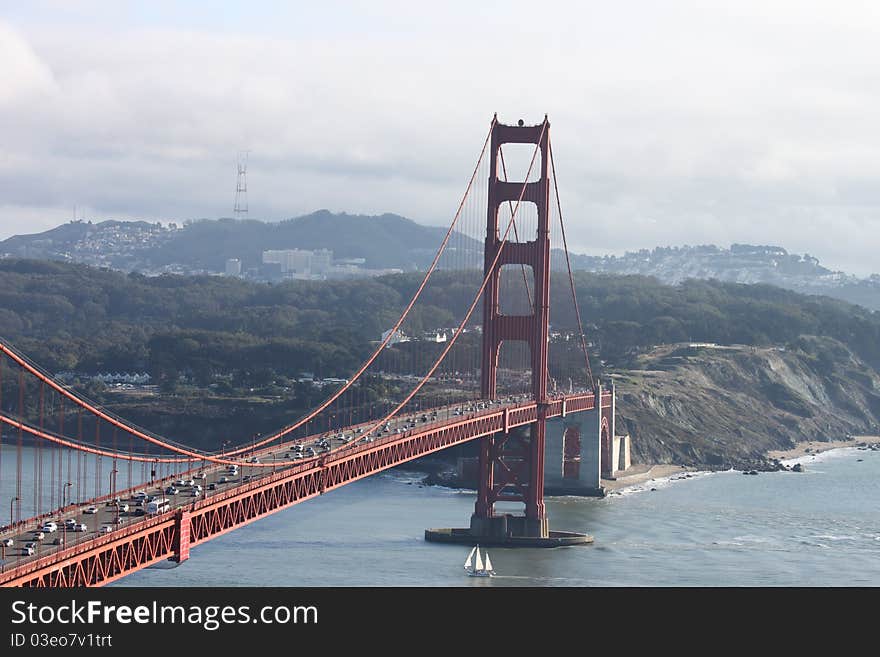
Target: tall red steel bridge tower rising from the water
{"type": "Point", "coordinates": [513, 470]}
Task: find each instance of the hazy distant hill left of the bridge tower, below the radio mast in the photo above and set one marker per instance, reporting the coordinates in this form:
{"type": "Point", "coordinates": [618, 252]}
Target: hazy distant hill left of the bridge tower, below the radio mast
{"type": "Point", "coordinates": [384, 241]}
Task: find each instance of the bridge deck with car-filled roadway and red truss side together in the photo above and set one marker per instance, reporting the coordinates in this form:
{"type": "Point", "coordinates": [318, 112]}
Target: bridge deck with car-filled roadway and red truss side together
{"type": "Point", "coordinates": [116, 543]}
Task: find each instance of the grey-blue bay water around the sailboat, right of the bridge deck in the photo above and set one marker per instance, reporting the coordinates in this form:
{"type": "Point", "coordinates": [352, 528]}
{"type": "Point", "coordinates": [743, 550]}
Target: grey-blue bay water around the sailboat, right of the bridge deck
{"type": "Point", "coordinates": [816, 528]}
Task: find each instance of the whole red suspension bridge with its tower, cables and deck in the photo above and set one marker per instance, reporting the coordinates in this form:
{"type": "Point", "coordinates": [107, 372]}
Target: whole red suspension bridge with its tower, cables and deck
{"type": "Point", "coordinates": [93, 497]}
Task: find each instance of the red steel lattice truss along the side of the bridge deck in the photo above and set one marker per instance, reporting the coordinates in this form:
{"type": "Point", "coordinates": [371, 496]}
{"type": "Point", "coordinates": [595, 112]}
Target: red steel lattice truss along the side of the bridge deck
{"type": "Point", "coordinates": [115, 555]}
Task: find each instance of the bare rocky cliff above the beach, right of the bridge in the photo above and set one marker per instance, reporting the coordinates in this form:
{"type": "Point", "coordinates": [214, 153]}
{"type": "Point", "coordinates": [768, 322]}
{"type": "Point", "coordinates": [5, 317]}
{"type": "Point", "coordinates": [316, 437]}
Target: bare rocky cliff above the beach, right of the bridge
{"type": "Point", "coordinates": [718, 407]}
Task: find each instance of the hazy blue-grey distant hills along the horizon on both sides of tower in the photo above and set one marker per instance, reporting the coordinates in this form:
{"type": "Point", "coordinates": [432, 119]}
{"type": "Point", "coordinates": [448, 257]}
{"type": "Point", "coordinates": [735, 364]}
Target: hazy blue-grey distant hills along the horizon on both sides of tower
{"type": "Point", "coordinates": [390, 241]}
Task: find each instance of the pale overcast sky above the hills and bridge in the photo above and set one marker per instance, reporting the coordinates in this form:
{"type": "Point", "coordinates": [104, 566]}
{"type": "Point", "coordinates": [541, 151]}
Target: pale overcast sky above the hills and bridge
{"type": "Point", "coordinates": [676, 122]}
